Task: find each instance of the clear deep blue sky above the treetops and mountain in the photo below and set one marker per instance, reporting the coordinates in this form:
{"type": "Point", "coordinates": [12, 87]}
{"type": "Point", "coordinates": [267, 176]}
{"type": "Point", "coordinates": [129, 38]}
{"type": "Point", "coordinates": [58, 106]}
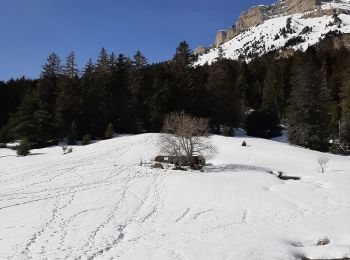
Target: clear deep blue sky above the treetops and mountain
{"type": "Point", "coordinates": [31, 29]}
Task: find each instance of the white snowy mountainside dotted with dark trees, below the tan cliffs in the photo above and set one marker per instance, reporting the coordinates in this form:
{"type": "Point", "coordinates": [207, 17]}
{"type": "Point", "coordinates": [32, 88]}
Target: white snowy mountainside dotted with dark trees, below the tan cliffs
{"type": "Point", "coordinates": [274, 34]}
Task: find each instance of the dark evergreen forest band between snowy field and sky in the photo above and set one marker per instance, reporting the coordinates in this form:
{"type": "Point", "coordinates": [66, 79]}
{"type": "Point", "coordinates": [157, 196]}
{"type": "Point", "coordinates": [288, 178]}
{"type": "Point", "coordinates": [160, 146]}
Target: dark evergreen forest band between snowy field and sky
{"type": "Point", "coordinates": [309, 92]}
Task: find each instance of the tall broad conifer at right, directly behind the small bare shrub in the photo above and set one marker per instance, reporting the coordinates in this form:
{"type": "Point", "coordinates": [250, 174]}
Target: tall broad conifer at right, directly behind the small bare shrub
{"type": "Point", "coordinates": [306, 116]}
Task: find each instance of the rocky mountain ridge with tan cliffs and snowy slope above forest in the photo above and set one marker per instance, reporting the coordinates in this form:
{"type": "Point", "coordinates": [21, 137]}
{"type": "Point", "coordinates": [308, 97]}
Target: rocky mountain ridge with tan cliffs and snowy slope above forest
{"type": "Point", "coordinates": [263, 29]}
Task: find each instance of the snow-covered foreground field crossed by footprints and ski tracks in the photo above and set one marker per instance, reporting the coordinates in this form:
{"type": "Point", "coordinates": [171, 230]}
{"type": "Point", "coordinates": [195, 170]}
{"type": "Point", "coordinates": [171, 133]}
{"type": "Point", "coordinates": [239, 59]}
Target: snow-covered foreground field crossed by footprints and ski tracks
{"type": "Point", "coordinates": [98, 203]}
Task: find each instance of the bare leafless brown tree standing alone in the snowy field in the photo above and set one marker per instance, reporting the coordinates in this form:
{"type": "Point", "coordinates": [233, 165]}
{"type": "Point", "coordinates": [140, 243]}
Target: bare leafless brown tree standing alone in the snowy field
{"type": "Point", "coordinates": [185, 137]}
